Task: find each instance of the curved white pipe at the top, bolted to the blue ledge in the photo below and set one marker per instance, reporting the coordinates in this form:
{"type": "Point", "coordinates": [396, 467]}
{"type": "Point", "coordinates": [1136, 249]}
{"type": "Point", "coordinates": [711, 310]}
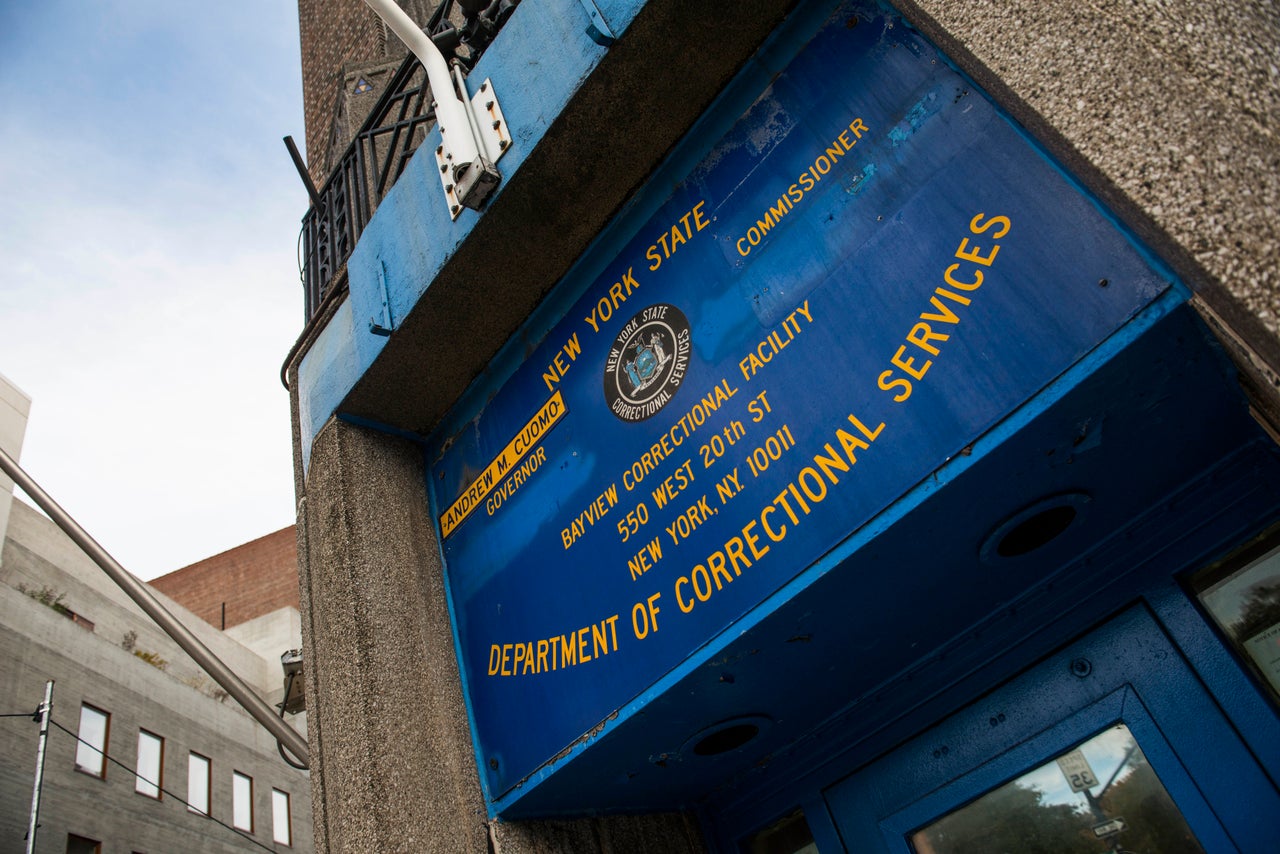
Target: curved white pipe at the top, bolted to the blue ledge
{"type": "Point", "coordinates": [474, 175]}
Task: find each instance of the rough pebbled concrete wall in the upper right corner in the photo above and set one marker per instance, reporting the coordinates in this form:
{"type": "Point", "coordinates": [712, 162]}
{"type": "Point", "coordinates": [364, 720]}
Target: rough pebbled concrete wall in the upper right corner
{"type": "Point", "coordinates": [1172, 113]}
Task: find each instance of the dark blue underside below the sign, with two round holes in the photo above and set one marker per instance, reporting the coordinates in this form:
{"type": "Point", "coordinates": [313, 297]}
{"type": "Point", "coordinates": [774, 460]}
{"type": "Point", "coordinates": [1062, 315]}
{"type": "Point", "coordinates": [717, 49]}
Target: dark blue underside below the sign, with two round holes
{"type": "Point", "coordinates": [892, 629]}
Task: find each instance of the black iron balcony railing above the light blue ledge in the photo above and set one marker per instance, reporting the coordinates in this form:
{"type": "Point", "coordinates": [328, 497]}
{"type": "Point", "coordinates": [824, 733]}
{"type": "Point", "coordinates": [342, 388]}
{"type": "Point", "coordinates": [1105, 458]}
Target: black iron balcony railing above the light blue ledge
{"type": "Point", "coordinates": [382, 149]}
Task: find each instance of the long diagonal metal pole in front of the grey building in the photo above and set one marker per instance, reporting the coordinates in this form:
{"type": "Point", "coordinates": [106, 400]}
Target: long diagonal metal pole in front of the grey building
{"type": "Point", "coordinates": [145, 600]}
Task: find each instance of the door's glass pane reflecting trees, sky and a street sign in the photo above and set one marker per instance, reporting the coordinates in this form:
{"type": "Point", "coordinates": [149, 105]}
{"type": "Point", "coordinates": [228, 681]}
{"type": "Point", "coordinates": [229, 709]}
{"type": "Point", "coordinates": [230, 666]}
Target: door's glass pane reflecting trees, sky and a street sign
{"type": "Point", "coordinates": [1101, 798]}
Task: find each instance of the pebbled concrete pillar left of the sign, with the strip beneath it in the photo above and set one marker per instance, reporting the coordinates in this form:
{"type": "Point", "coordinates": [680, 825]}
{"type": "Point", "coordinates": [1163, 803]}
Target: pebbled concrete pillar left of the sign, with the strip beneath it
{"type": "Point", "coordinates": [397, 770]}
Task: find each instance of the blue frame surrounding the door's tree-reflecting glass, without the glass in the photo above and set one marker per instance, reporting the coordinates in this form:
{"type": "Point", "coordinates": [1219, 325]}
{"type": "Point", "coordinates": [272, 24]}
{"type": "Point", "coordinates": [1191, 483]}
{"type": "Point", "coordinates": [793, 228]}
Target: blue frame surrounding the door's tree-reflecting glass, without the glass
{"type": "Point", "coordinates": [1126, 672]}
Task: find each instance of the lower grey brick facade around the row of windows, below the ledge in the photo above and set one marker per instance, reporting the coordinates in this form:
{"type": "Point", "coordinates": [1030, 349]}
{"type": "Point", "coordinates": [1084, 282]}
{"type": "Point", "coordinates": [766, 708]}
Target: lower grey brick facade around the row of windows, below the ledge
{"type": "Point", "coordinates": [38, 645]}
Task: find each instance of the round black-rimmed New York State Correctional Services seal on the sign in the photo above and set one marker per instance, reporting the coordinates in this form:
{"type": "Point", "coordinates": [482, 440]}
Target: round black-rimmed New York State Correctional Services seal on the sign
{"type": "Point", "coordinates": [647, 363]}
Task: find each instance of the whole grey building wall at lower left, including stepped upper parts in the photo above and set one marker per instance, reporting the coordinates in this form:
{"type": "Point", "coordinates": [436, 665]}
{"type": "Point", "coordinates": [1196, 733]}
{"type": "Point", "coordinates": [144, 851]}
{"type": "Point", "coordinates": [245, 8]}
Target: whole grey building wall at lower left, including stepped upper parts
{"type": "Point", "coordinates": [163, 693]}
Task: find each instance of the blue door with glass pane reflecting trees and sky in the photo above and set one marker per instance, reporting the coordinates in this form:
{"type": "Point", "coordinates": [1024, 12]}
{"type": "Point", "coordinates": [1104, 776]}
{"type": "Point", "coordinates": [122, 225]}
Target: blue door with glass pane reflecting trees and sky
{"type": "Point", "coordinates": [1109, 747]}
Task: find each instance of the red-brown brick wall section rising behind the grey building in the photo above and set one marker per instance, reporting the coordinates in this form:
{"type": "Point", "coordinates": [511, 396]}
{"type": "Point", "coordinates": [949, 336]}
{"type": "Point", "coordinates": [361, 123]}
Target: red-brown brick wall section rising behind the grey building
{"type": "Point", "coordinates": [240, 584]}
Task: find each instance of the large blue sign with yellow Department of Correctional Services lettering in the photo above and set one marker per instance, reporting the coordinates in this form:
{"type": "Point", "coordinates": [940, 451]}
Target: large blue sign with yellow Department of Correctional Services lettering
{"type": "Point", "coordinates": [868, 272]}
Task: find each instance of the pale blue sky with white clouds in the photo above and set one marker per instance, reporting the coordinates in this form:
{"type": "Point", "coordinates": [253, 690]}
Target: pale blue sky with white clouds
{"type": "Point", "coordinates": [149, 282]}
